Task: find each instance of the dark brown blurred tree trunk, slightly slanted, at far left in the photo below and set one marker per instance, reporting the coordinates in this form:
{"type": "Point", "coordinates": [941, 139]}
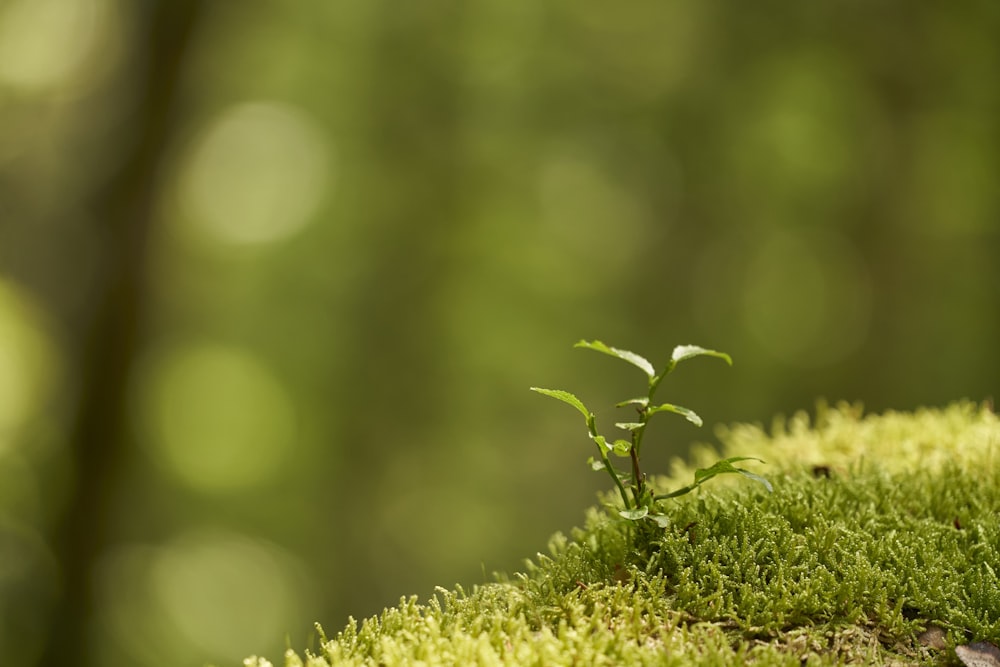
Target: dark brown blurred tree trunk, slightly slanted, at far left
{"type": "Point", "coordinates": [107, 344]}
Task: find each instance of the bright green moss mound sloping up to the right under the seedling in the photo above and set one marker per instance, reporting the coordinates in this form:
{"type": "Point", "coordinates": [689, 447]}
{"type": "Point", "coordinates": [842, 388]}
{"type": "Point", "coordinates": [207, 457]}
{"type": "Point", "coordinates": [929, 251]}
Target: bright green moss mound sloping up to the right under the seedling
{"type": "Point", "coordinates": [879, 545]}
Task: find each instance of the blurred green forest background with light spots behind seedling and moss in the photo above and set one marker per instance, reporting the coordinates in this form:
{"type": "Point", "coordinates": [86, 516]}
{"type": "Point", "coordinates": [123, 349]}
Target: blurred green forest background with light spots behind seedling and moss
{"type": "Point", "coordinates": [275, 279]}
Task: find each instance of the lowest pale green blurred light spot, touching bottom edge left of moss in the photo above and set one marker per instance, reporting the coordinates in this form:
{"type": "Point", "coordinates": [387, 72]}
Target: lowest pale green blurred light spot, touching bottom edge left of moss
{"type": "Point", "coordinates": [207, 594]}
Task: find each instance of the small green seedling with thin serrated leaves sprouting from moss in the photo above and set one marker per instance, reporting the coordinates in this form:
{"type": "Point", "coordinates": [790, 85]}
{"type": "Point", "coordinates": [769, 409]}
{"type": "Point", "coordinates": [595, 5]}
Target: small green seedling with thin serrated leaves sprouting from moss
{"type": "Point", "coordinates": [642, 501]}
